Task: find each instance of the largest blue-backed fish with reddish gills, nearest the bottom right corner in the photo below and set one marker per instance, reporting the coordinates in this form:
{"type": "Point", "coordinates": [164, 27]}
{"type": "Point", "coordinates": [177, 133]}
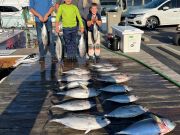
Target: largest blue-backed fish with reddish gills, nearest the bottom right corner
{"type": "Point", "coordinates": [149, 127]}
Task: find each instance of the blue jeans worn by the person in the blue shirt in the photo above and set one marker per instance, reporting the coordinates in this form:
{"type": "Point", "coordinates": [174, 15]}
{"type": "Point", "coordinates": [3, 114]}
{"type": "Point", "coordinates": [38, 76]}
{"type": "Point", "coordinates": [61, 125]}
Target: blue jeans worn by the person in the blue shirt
{"type": "Point", "coordinates": [42, 49]}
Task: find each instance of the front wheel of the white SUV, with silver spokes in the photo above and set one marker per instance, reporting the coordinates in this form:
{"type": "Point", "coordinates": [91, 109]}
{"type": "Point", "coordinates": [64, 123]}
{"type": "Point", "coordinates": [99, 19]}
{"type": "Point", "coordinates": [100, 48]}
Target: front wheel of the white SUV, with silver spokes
{"type": "Point", "coordinates": [152, 22]}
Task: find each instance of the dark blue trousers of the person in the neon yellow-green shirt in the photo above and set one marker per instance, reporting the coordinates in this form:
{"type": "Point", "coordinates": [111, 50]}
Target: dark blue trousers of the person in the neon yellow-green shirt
{"type": "Point", "coordinates": [70, 39]}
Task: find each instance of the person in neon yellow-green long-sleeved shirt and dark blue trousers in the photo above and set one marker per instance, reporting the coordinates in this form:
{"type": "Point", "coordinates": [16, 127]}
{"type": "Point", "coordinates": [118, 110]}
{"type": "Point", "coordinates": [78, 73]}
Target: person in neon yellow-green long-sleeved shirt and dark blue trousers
{"type": "Point", "coordinates": [69, 14]}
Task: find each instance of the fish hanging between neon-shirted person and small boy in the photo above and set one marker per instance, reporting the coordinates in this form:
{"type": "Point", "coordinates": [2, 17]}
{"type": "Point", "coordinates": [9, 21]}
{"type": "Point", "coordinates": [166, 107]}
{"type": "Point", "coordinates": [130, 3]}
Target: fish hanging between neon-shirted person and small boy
{"type": "Point", "coordinates": [82, 46]}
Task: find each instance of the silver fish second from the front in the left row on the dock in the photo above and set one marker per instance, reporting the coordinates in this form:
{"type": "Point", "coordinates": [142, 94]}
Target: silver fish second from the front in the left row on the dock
{"type": "Point", "coordinates": [75, 105]}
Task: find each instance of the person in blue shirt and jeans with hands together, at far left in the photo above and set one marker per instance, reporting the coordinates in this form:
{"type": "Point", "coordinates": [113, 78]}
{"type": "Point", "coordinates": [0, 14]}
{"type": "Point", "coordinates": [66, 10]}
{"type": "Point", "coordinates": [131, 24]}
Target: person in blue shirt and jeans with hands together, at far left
{"type": "Point", "coordinates": [42, 10]}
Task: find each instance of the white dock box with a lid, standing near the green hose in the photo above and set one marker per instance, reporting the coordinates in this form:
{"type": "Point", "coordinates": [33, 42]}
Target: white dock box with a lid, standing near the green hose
{"type": "Point", "coordinates": [130, 38]}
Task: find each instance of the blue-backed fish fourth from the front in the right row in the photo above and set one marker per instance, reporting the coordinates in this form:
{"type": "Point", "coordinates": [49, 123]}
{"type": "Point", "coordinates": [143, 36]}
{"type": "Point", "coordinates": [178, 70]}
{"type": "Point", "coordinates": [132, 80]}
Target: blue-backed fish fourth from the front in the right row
{"type": "Point", "coordinates": [116, 88]}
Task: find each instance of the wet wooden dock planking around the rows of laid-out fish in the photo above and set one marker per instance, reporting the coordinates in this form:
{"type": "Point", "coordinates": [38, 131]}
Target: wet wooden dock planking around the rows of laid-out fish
{"type": "Point", "coordinates": [26, 96]}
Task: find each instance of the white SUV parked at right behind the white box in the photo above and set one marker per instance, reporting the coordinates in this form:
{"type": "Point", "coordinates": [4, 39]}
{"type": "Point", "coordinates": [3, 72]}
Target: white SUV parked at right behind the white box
{"type": "Point", "coordinates": [156, 13]}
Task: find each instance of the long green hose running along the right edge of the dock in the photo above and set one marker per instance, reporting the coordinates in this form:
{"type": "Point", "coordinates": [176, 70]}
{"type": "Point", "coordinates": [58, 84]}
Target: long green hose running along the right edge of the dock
{"type": "Point", "coordinates": [146, 65]}
